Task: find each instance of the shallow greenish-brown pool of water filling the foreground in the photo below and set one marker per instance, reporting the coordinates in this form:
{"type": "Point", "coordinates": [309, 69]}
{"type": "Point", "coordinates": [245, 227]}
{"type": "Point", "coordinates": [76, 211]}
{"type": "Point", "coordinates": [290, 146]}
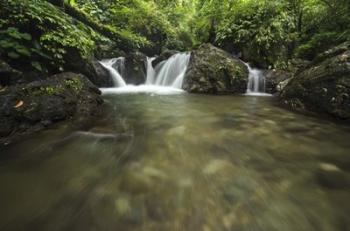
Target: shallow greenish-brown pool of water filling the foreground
{"type": "Point", "coordinates": [181, 162]}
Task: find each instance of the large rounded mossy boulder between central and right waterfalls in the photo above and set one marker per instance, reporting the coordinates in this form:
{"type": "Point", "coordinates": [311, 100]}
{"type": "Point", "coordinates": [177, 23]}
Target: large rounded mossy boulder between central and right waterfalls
{"type": "Point", "coordinates": [212, 70]}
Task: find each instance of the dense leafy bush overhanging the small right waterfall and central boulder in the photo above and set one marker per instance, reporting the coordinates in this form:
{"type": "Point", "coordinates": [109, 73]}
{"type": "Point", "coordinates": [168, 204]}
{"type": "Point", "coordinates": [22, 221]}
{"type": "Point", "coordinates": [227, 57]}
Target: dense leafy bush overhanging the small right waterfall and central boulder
{"type": "Point", "coordinates": [265, 29]}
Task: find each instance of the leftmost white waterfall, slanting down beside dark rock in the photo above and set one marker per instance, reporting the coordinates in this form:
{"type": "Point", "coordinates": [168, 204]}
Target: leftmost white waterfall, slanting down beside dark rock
{"type": "Point", "coordinates": [115, 67]}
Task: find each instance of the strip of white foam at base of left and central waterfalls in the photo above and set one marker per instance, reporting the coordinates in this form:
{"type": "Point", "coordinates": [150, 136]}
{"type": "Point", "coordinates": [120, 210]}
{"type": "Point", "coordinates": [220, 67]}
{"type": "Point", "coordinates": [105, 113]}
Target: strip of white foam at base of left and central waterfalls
{"type": "Point", "coordinates": [148, 89]}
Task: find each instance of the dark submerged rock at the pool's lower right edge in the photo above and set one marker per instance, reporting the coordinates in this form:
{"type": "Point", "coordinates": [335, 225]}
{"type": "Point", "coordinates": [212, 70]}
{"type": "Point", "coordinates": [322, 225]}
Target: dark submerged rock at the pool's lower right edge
{"type": "Point", "coordinates": [330, 176]}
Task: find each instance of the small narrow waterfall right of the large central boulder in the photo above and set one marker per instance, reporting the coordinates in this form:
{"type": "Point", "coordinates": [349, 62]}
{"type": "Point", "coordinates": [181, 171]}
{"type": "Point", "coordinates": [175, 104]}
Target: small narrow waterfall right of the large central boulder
{"type": "Point", "coordinates": [256, 81]}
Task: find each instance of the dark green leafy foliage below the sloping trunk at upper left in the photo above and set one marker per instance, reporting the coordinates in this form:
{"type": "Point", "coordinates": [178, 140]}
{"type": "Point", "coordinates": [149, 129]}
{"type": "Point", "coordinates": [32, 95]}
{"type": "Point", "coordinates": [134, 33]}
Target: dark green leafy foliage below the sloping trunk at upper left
{"type": "Point", "coordinates": [43, 33]}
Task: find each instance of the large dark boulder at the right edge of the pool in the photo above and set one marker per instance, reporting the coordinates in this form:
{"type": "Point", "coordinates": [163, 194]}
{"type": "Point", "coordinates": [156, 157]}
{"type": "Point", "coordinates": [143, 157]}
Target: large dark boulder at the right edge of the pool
{"type": "Point", "coordinates": [324, 87]}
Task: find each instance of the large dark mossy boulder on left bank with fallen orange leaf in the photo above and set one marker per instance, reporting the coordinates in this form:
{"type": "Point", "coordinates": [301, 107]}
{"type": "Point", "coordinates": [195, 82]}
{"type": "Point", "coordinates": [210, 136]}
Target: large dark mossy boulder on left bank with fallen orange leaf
{"type": "Point", "coordinates": [26, 108]}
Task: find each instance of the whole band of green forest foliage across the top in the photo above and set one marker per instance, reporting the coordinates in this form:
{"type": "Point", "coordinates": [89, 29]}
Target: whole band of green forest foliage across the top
{"type": "Point", "coordinates": [39, 34]}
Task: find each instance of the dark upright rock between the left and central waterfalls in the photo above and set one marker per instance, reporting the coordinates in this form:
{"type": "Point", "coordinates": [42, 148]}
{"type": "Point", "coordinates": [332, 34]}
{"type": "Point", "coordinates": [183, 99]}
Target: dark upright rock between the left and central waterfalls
{"type": "Point", "coordinates": [135, 68]}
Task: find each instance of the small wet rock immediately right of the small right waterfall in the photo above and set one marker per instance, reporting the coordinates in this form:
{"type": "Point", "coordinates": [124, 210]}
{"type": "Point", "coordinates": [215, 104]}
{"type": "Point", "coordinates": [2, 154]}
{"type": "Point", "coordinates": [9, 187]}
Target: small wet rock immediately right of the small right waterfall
{"type": "Point", "coordinates": [276, 80]}
